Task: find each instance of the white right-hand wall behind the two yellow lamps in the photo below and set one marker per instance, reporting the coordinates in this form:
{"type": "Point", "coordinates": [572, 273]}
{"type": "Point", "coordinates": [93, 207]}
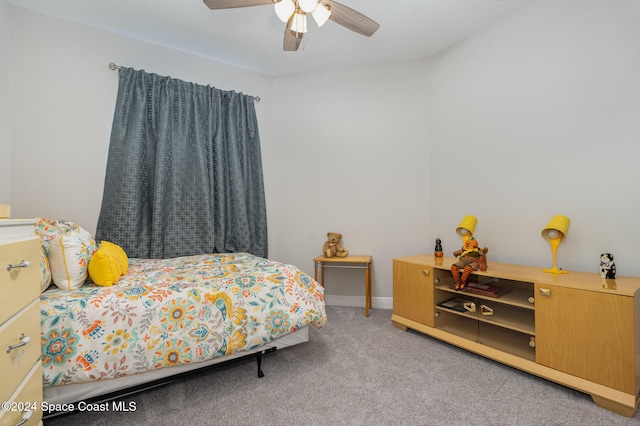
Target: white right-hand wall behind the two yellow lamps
{"type": "Point", "coordinates": [537, 116]}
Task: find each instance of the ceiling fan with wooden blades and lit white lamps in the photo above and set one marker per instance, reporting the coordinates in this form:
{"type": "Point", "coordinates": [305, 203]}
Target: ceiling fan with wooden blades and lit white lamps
{"type": "Point", "coordinates": [294, 13]}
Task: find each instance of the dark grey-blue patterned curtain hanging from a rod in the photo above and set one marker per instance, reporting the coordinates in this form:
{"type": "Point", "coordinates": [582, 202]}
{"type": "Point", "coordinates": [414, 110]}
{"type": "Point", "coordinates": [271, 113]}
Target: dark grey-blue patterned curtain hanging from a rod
{"type": "Point", "coordinates": [184, 172]}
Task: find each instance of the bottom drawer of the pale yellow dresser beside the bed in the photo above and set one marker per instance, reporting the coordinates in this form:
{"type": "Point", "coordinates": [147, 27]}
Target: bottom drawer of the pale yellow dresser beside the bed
{"type": "Point", "coordinates": [27, 397]}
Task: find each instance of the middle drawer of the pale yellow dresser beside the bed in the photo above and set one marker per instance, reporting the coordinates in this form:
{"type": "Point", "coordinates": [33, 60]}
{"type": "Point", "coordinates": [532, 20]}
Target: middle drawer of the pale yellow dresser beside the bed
{"type": "Point", "coordinates": [15, 364]}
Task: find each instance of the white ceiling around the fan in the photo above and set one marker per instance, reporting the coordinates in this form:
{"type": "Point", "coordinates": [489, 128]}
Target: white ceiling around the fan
{"type": "Point", "coordinates": [251, 37]}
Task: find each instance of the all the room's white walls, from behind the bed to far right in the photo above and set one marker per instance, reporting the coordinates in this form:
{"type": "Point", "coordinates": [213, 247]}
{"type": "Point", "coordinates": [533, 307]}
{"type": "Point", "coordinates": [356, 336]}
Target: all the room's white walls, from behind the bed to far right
{"type": "Point", "coordinates": [534, 116]}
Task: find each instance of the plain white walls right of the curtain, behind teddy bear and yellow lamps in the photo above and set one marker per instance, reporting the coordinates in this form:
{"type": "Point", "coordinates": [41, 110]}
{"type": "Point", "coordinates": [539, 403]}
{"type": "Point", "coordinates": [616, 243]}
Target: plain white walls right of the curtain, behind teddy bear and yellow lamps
{"type": "Point", "coordinates": [532, 117]}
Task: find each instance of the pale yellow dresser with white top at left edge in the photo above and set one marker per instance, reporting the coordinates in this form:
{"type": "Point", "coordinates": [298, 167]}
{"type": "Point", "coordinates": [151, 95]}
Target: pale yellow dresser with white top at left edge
{"type": "Point", "coordinates": [20, 367]}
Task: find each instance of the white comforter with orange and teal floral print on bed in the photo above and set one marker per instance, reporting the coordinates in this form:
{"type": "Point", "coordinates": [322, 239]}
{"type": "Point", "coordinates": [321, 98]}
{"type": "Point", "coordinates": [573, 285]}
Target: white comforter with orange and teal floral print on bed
{"type": "Point", "coordinates": [173, 311]}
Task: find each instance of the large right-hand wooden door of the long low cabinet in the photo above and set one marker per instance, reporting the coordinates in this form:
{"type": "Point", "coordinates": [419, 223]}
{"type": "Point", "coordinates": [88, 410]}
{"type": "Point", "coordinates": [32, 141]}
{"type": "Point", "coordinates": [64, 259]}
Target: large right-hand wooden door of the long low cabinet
{"type": "Point", "coordinates": [587, 334]}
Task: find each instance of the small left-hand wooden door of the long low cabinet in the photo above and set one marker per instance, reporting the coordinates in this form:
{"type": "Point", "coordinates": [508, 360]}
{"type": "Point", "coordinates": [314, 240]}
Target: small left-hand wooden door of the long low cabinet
{"type": "Point", "coordinates": [413, 292]}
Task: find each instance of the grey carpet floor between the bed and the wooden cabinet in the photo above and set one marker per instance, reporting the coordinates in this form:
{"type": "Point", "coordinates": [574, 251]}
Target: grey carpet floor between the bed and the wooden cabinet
{"type": "Point", "coordinates": [360, 371]}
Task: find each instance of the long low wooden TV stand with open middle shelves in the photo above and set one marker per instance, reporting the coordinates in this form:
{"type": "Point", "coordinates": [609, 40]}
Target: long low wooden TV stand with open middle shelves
{"type": "Point", "coordinates": [575, 329]}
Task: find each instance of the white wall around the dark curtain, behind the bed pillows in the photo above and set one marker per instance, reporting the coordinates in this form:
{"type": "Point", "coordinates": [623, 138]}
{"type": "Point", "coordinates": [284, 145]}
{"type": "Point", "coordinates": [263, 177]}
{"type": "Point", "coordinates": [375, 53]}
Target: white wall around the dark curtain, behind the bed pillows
{"type": "Point", "coordinates": [63, 102]}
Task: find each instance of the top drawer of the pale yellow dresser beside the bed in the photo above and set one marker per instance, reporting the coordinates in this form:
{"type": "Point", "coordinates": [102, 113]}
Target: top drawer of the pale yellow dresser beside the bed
{"type": "Point", "coordinates": [18, 286]}
